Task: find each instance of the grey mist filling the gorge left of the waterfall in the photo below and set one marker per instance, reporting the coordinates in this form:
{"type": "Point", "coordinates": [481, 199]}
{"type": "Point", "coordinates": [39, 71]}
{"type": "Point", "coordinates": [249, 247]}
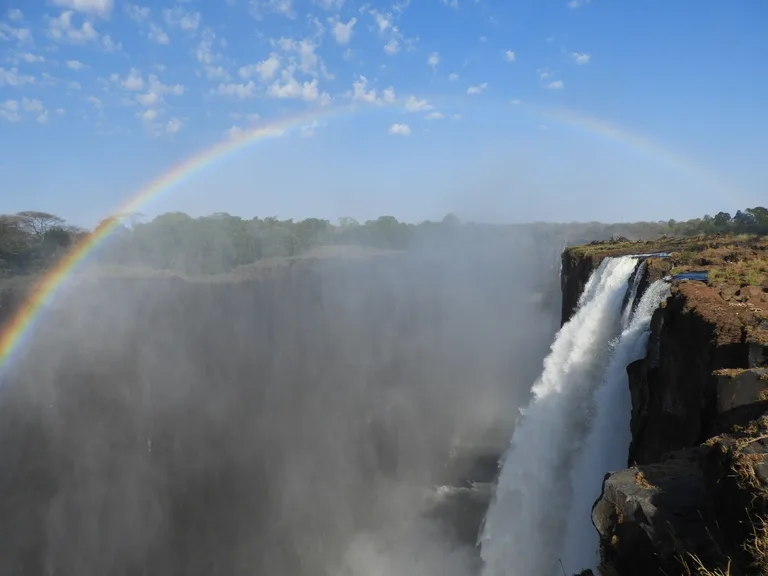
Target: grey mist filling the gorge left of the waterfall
{"type": "Point", "coordinates": [303, 416]}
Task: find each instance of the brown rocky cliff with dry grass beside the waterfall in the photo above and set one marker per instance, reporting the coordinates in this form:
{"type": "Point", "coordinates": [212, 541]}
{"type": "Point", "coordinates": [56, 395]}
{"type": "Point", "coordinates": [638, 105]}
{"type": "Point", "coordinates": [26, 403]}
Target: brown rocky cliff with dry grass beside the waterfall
{"type": "Point", "coordinates": [695, 496]}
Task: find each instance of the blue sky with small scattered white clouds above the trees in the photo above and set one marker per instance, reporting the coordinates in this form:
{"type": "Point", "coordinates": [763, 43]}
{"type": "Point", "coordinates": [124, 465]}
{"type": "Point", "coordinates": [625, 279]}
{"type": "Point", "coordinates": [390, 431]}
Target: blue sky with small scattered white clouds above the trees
{"type": "Point", "coordinates": [496, 110]}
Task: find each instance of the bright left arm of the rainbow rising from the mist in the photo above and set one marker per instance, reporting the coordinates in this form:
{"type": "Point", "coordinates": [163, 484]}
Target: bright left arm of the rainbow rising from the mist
{"type": "Point", "coordinates": [19, 327]}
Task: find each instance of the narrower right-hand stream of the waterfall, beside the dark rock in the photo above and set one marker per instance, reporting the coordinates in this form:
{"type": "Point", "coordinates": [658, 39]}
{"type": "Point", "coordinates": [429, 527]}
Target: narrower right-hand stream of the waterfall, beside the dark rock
{"type": "Point", "coordinates": [605, 448]}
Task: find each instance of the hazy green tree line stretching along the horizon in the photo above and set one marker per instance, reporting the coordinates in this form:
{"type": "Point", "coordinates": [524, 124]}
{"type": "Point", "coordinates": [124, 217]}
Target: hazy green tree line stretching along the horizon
{"type": "Point", "coordinates": [32, 241]}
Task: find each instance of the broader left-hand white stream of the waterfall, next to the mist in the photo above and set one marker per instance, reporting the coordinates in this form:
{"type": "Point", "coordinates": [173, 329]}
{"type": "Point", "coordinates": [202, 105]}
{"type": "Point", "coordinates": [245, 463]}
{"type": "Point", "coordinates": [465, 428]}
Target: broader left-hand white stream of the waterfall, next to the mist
{"type": "Point", "coordinates": [523, 529]}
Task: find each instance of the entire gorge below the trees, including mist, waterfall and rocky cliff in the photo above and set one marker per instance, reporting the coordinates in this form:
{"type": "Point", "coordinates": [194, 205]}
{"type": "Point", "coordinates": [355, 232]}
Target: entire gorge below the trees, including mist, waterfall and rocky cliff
{"type": "Point", "coordinates": [345, 414]}
